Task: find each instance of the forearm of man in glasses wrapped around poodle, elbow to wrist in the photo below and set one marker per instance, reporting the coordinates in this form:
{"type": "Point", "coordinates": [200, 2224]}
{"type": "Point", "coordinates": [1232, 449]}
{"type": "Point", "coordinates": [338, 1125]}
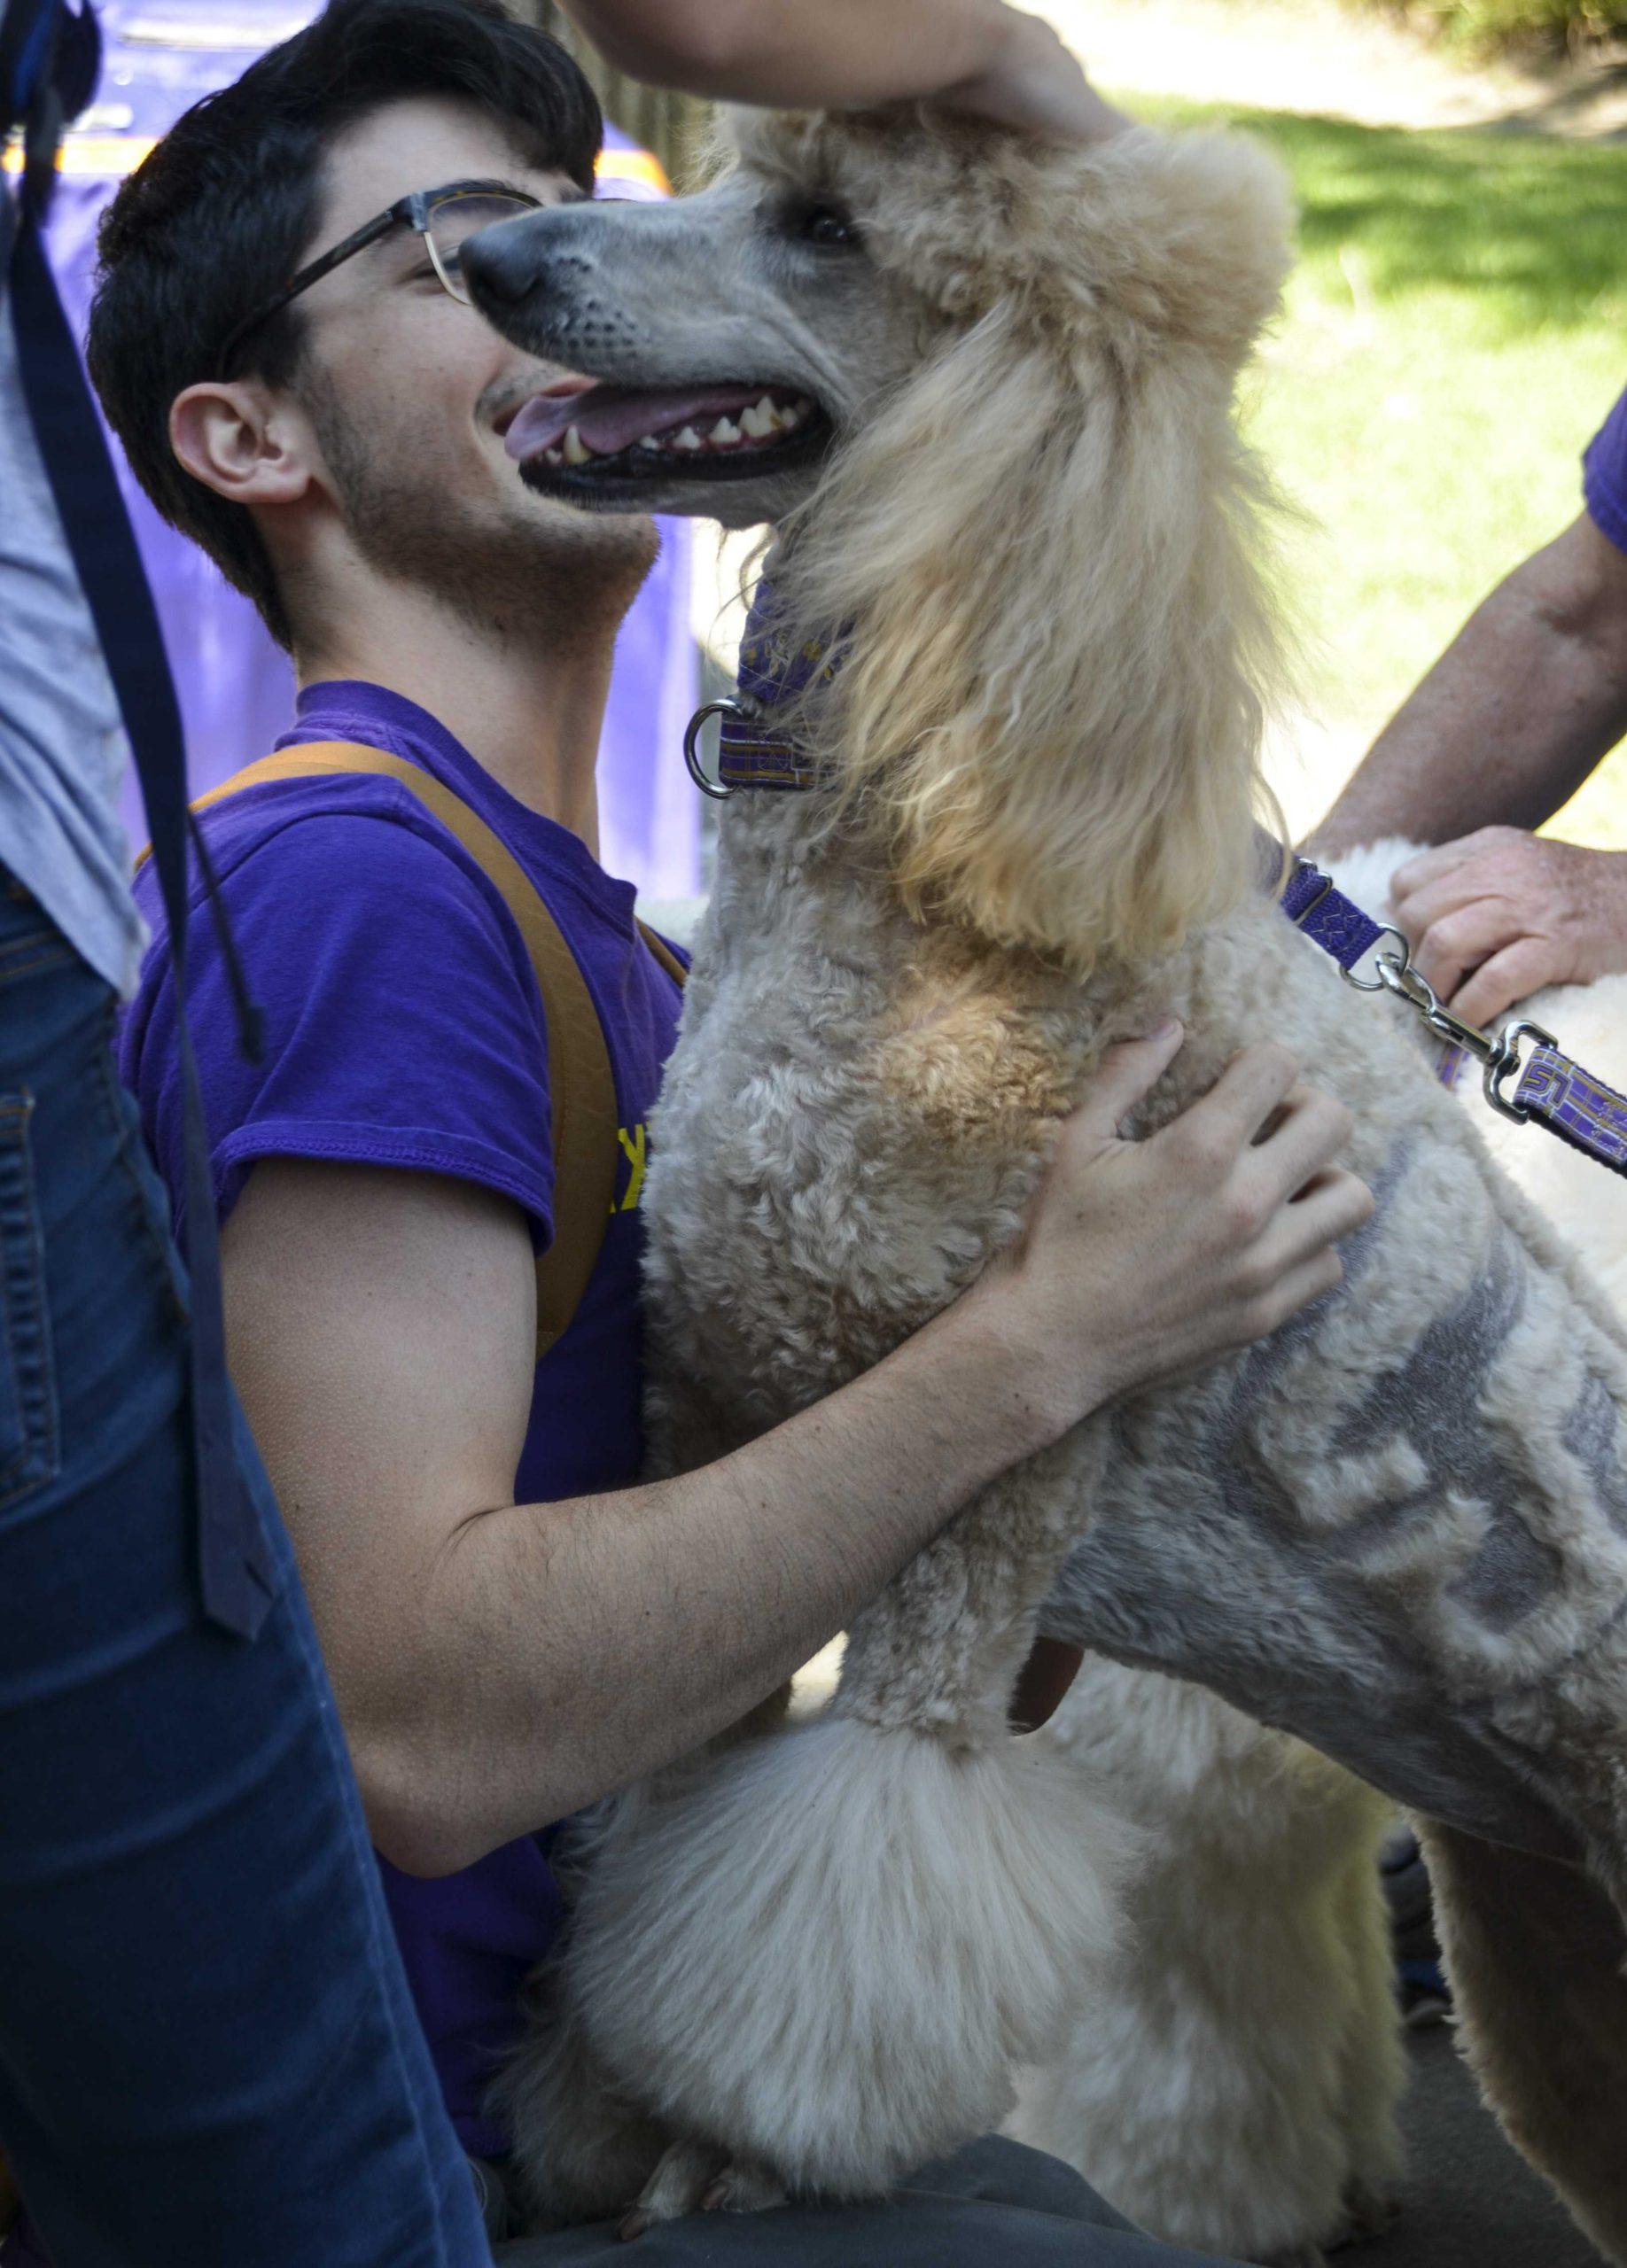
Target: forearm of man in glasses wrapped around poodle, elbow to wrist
{"type": "Point", "coordinates": [573, 1648]}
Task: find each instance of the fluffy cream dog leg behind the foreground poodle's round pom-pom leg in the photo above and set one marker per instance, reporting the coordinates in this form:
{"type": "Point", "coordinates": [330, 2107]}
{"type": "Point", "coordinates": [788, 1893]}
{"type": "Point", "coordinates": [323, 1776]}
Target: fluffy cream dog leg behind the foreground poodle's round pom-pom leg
{"type": "Point", "coordinates": [1208, 2074]}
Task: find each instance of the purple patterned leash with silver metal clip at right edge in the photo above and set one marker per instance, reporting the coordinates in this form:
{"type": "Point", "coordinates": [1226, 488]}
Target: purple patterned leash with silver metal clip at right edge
{"type": "Point", "coordinates": [1551, 1092]}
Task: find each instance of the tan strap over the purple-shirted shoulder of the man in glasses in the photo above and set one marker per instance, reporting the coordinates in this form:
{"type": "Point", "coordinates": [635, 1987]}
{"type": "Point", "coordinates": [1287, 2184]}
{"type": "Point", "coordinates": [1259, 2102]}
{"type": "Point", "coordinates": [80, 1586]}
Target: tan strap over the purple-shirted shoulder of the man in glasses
{"type": "Point", "coordinates": [582, 1088]}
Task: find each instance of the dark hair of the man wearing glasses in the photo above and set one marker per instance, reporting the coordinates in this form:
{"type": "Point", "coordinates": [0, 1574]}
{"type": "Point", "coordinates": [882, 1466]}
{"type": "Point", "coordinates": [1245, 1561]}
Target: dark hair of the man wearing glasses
{"type": "Point", "coordinates": [221, 214]}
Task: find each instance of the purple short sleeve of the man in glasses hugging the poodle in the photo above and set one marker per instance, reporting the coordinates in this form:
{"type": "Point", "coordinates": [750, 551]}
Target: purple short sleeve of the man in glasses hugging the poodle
{"type": "Point", "coordinates": [401, 1019]}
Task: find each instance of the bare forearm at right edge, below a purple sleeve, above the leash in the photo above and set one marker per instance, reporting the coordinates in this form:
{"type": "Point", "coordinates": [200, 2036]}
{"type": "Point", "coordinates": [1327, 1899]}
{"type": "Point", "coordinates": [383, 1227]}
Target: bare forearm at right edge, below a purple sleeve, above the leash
{"type": "Point", "coordinates": [1512, 718]}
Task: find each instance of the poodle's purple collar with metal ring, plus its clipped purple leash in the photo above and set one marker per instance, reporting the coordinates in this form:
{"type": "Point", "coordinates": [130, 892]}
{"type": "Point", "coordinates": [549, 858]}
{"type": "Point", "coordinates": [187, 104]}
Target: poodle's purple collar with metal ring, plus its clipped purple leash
{"type": "Point", "coordinates": [1551, 1092]}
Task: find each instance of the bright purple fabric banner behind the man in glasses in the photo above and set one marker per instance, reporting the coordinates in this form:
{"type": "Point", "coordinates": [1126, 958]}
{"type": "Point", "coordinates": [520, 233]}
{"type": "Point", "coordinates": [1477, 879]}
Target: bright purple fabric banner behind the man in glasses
{"type": "Point", "coordinates": [235, 684]}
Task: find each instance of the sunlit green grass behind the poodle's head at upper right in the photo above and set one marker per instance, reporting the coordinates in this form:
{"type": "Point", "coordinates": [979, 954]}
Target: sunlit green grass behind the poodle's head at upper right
{"type": "Point", "coordinates": [1456, 332]}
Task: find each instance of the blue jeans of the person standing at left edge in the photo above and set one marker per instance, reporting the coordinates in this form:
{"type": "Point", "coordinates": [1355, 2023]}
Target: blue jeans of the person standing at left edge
{"type": "Point", "coordinates": [208, 2051]}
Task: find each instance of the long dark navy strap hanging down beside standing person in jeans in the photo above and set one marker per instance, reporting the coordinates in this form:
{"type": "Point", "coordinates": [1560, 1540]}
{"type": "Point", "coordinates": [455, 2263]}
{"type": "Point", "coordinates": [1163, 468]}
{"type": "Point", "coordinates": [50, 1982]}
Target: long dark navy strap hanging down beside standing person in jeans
{"type": "Point", "coordinates": [235, 1559]}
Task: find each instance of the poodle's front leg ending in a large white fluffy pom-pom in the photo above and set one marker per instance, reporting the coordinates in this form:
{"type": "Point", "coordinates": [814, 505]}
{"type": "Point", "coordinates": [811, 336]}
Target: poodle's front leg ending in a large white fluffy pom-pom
{"type": "Point", "coordinates": [827, 1949]}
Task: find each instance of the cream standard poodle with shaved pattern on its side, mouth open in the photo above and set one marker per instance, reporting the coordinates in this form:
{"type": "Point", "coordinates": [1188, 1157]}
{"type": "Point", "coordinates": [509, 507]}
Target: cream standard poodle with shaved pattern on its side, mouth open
{"type": "Point", "coordinates": [984, 396]}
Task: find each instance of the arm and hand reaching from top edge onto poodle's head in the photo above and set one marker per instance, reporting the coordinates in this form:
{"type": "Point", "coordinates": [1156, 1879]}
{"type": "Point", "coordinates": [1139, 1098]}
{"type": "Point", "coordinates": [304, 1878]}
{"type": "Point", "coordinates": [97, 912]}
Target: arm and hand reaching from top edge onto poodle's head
{"type": "Point", "coordinates": [970, 56]}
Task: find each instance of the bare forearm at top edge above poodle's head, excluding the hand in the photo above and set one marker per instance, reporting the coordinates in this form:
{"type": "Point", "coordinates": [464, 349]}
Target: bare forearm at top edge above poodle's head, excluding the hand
{"type": "Point", "coordinates": [838, 56]}
